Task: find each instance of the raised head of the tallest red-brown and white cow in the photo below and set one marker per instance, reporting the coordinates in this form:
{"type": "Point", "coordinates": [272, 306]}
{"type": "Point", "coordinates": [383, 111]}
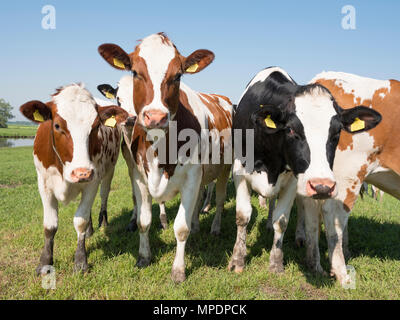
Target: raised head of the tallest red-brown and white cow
{"type": "Point", "coordinates": [157, 67]}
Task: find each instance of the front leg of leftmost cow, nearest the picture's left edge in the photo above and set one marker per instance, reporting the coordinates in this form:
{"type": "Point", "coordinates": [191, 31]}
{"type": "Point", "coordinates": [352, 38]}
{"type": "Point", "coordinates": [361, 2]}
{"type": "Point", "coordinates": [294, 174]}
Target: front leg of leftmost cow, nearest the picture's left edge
{"type": "Point", "coordinates": [50, 225]}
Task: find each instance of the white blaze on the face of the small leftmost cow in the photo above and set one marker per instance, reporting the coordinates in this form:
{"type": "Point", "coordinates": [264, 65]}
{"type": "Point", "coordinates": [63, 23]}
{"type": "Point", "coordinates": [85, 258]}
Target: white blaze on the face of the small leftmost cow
{"type": "Point", "coordinates": [78, 108]}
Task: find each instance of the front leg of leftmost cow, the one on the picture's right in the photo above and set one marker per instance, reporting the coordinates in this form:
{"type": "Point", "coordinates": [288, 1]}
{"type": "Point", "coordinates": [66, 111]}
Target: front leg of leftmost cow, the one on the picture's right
{"type": "Point", "coordinates": [81, 221]}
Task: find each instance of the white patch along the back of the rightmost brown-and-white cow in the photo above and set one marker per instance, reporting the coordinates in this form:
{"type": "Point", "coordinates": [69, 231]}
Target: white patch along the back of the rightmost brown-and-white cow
{"type": "Point", "coordinates": [361, 87]}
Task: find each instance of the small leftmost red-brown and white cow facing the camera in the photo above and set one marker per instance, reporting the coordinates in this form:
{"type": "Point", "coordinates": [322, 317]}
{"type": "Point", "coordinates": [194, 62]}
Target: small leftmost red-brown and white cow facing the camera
{"type": "Point", "coordinates": [76, 147]}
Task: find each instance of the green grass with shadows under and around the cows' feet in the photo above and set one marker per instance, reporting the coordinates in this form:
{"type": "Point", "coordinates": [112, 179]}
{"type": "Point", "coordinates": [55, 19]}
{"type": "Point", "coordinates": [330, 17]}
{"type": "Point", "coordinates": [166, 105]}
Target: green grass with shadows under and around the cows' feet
{"type": "Point", "coordinates": [374, 230]}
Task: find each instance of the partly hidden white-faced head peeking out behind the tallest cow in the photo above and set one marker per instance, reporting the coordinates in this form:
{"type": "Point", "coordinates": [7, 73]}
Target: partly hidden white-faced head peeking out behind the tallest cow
{"type": "Point", "coordinates": [123, 94]}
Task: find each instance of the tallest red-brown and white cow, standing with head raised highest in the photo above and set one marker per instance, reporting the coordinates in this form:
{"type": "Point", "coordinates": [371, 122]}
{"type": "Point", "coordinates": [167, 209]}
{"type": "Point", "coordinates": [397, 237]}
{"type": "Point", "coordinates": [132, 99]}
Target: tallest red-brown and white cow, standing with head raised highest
{"type": "Point", "coordinates": [162, 101]}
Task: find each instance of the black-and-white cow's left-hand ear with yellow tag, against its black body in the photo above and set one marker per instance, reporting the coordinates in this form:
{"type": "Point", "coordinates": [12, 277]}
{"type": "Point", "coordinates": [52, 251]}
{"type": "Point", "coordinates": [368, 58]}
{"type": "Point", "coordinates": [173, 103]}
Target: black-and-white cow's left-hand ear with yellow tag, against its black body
{"type": "Point", "coordinates": [269, 118]}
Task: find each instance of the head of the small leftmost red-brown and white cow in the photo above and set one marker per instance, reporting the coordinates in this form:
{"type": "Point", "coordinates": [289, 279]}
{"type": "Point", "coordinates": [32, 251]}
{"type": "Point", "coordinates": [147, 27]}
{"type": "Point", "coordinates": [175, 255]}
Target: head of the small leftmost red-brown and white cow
{"type": "Point", "coordinates": [75, 121]}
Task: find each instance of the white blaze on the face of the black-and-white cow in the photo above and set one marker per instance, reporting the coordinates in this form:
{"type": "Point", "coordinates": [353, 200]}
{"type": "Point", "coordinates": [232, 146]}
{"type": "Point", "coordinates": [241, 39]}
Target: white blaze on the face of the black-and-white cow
{"type": "Point", "coordinates": [315, 112]}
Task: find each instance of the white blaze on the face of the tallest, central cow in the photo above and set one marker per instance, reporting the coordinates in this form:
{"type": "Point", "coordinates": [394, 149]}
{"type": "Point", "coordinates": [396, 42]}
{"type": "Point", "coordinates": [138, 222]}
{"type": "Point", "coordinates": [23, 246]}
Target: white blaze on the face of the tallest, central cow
{"type": "Point", "coordinates": [157, 53]}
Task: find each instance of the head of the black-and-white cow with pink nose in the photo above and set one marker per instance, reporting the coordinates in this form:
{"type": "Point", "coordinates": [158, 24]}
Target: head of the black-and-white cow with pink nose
{"type": "Point", "coordinates": [309, 127]}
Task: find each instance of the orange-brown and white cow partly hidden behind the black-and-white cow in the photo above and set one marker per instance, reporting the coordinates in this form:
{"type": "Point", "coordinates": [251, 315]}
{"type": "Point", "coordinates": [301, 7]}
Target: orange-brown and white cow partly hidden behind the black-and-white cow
{"type": "Point", "coordinates": [370, 157]}
